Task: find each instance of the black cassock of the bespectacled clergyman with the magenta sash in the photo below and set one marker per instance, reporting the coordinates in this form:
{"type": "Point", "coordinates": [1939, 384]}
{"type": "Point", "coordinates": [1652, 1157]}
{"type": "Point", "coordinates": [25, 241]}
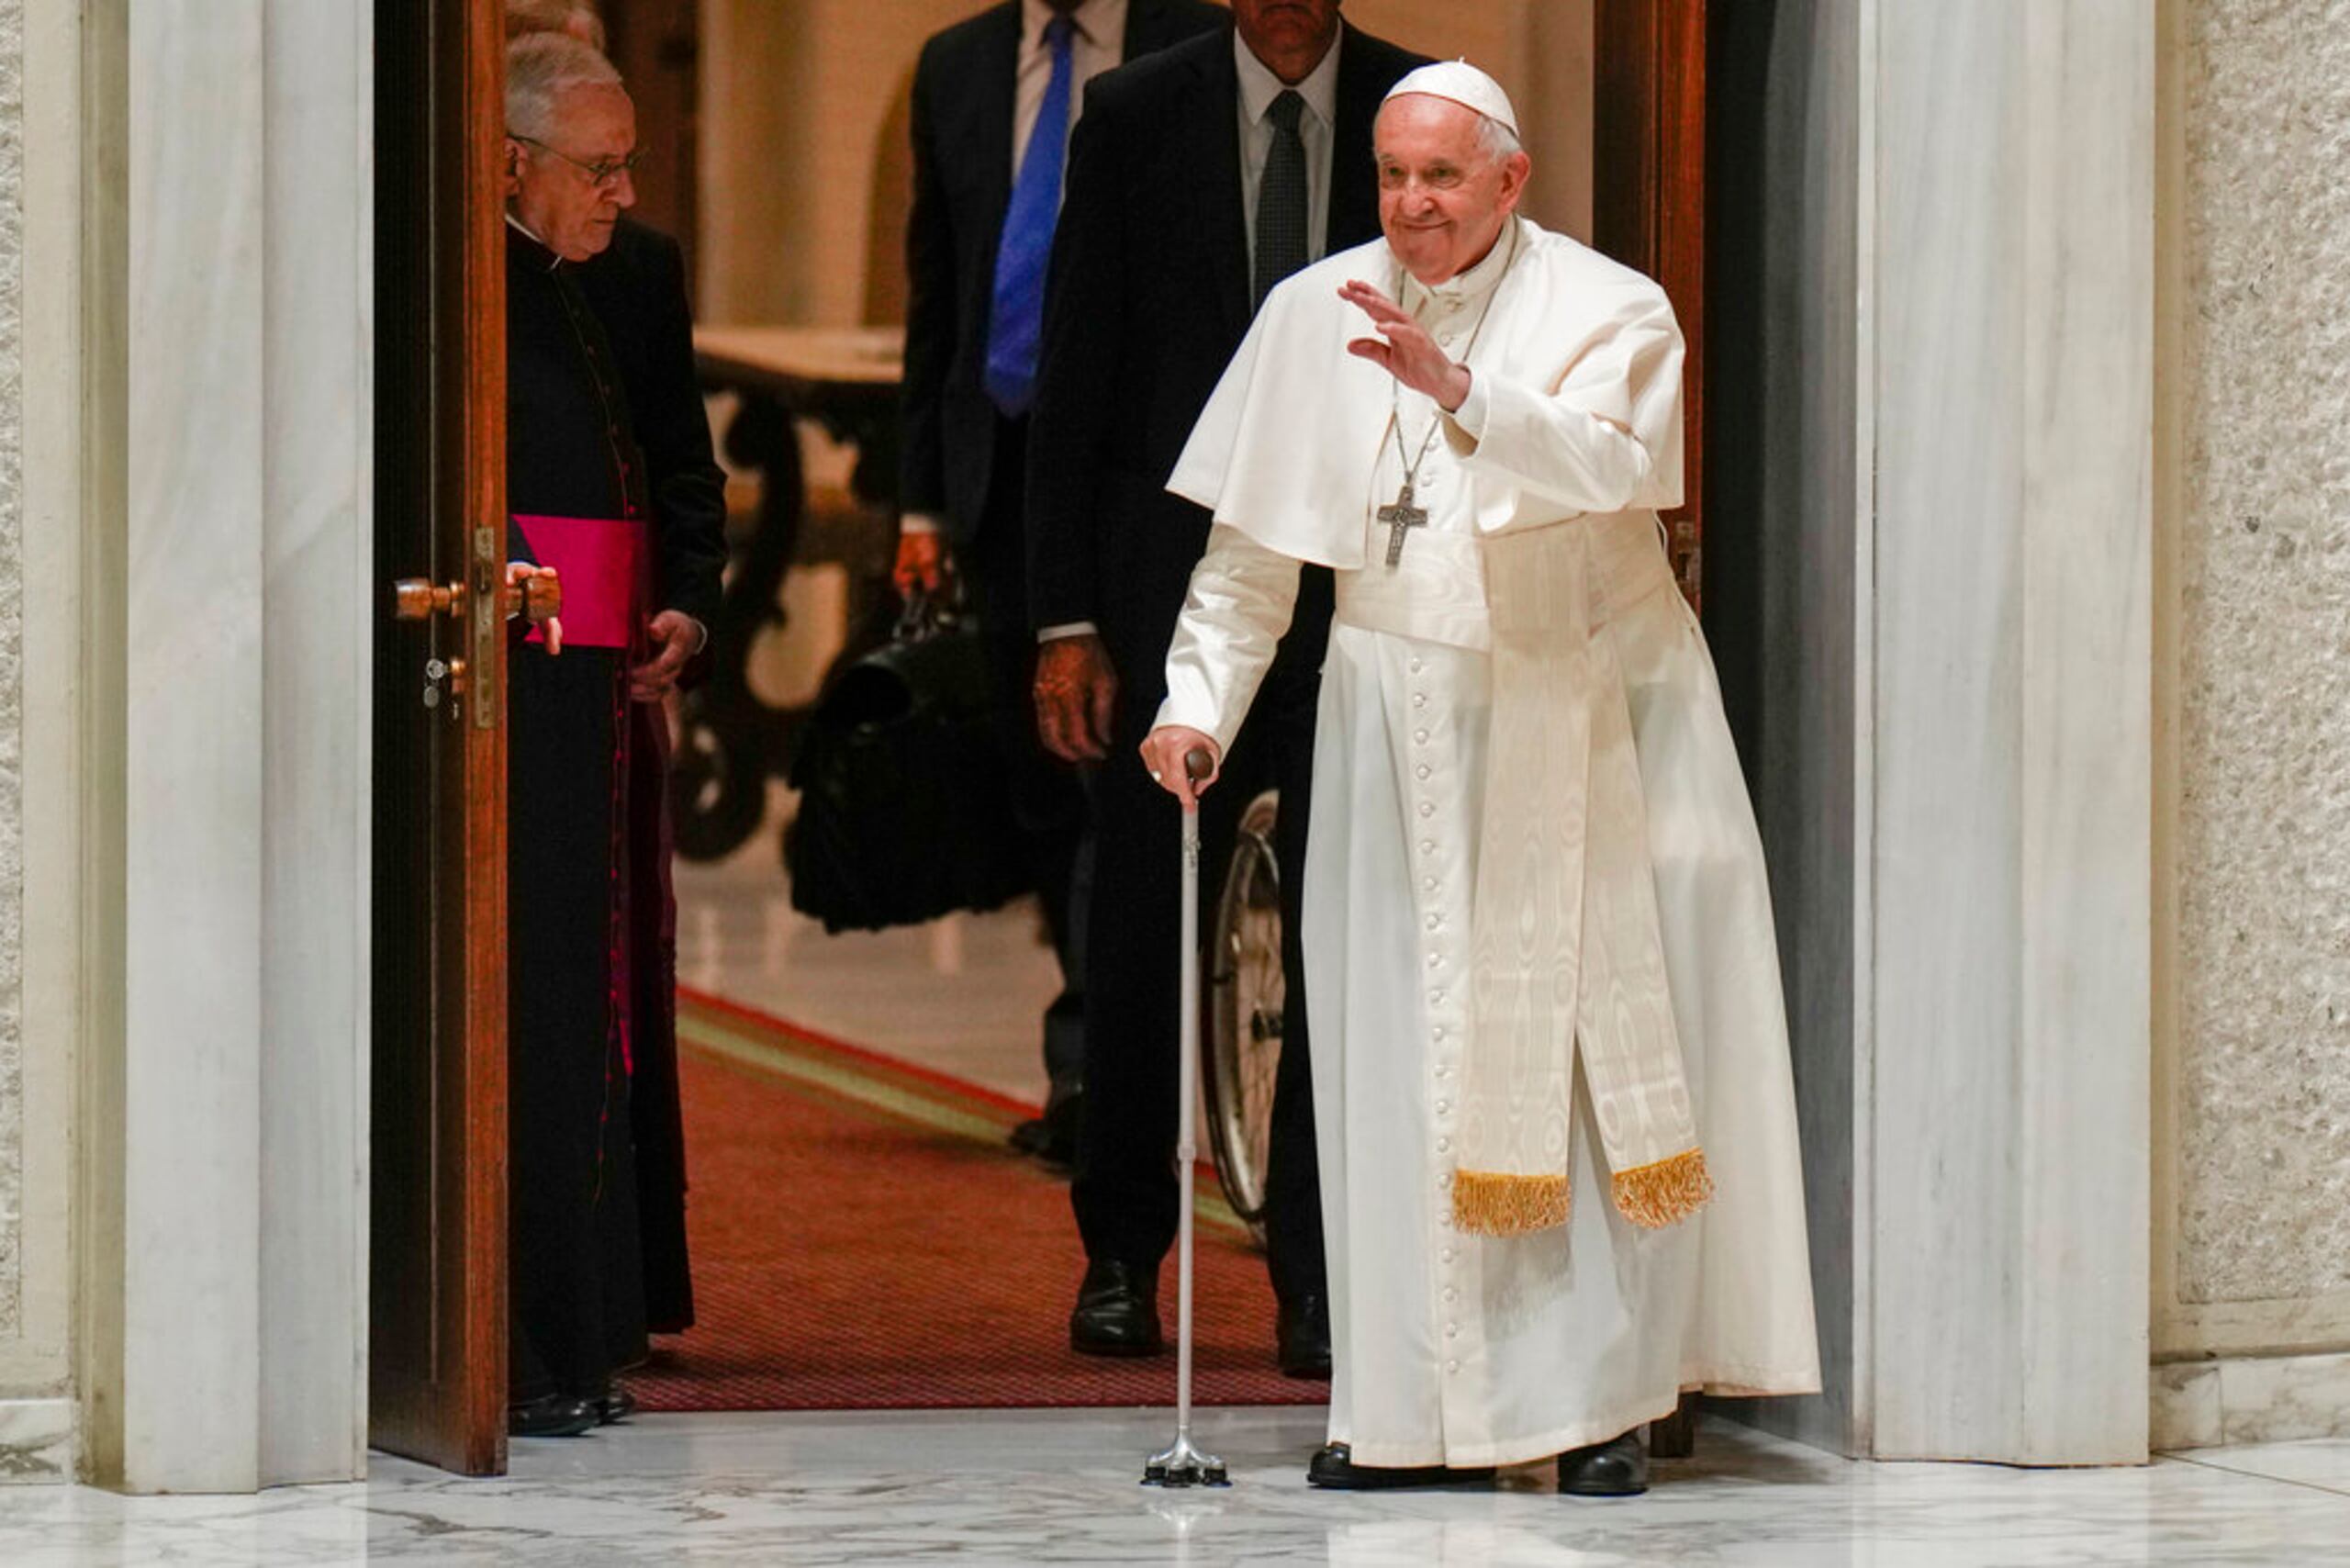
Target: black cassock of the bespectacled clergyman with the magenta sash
{"type": "Point", "coordinates": [577, 913]}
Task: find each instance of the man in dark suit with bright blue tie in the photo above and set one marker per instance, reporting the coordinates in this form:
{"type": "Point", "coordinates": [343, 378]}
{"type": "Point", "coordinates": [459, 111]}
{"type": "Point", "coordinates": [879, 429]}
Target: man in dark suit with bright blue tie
{"type": "Point", "coordinates": [993, 109]}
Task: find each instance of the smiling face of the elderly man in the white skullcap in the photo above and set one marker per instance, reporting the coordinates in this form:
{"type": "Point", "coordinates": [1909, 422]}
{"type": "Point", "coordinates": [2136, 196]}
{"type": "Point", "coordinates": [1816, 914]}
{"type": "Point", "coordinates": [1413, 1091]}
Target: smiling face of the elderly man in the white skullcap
{"type": "Point", "coordinates": [1442, 194]}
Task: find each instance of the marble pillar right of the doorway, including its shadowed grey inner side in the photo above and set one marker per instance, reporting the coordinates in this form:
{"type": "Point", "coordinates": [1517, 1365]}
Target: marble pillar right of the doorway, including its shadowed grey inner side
{"type": "Point", "coordinates": [1942, 674]}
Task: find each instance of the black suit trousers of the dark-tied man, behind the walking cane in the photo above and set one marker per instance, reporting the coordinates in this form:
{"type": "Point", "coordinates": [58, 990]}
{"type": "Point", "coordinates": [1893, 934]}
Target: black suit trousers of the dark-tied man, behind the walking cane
{"type": "Point", "coordinates": [1124, 1188]}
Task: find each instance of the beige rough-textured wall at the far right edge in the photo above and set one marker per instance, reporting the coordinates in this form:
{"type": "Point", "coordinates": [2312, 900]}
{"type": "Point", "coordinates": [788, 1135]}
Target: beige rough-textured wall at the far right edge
{"type": "Point", "coordinates": [2252, 1099]}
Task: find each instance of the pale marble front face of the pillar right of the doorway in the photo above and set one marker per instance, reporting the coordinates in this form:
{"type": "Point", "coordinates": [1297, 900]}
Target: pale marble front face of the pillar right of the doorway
{"type": "Point", "coordinates": [2010, 725]}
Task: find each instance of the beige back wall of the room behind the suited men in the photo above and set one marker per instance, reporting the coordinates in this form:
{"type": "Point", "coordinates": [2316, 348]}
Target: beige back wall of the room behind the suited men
{"type": "Point", "coordinates": [805, 135]}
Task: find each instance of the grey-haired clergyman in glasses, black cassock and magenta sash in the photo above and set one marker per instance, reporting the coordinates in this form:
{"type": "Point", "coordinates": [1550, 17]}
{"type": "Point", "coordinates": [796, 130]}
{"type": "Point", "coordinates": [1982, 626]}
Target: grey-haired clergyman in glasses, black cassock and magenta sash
{"type": "Point", "coordinates": [586, 991]}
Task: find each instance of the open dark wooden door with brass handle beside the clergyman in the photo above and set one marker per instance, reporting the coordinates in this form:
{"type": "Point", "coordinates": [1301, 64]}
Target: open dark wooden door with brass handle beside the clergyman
{"type": "Point", "coordinates": [438, 1139]}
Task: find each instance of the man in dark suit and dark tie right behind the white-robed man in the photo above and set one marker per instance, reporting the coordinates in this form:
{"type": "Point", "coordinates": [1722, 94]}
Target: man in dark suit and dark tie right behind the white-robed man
{"type": "Point", "coordinates": [1197, 180]}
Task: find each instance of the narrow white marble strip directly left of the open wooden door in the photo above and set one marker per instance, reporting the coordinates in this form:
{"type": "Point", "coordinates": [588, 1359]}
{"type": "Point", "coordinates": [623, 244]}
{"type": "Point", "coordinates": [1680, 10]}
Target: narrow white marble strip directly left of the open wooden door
{"type": "Point", "coordinates": [316, 561]}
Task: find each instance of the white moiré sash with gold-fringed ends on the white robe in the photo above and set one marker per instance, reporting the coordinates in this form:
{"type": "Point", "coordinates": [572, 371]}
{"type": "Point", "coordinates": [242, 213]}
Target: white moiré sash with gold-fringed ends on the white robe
{"type": "Point", "coordinates": [1569, 963]}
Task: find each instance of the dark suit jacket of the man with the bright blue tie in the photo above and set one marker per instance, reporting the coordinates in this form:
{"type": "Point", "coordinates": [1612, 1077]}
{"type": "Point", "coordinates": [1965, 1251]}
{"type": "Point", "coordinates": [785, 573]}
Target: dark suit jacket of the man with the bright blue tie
{"type": "Point", "coordinates": [965, 102]}
